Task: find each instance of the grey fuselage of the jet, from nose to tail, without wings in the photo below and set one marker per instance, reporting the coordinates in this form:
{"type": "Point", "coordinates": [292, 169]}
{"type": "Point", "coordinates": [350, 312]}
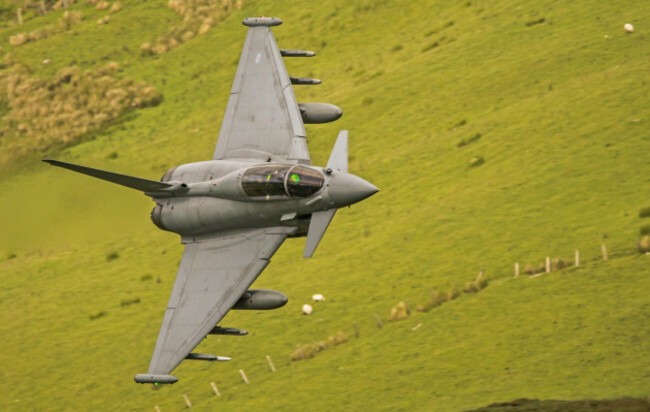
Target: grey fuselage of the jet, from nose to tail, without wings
{"type": "Point", "coordinates": [222, 195]}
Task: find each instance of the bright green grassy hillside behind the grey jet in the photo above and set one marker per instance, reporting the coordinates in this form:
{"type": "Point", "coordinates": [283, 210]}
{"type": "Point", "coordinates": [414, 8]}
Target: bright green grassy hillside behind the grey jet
{"type": "Point", "coordinates": [557, 93]}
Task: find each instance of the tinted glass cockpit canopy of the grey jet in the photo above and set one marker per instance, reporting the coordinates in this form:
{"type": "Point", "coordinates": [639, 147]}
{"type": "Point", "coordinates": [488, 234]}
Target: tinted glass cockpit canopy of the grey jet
{"type": "Point", "coordinates": [275, 180]}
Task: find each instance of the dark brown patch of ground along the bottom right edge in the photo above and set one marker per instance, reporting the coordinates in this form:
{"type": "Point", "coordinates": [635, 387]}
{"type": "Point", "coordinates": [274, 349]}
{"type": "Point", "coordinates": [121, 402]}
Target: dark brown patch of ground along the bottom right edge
{"type": "Point", "coordinates": [529, 405]}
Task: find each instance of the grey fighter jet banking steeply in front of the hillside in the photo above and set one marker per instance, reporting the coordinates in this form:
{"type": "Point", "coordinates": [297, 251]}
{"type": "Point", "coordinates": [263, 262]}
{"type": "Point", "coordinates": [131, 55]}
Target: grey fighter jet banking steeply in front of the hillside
{"type": "Point", "coordinates": [233, 212]}
